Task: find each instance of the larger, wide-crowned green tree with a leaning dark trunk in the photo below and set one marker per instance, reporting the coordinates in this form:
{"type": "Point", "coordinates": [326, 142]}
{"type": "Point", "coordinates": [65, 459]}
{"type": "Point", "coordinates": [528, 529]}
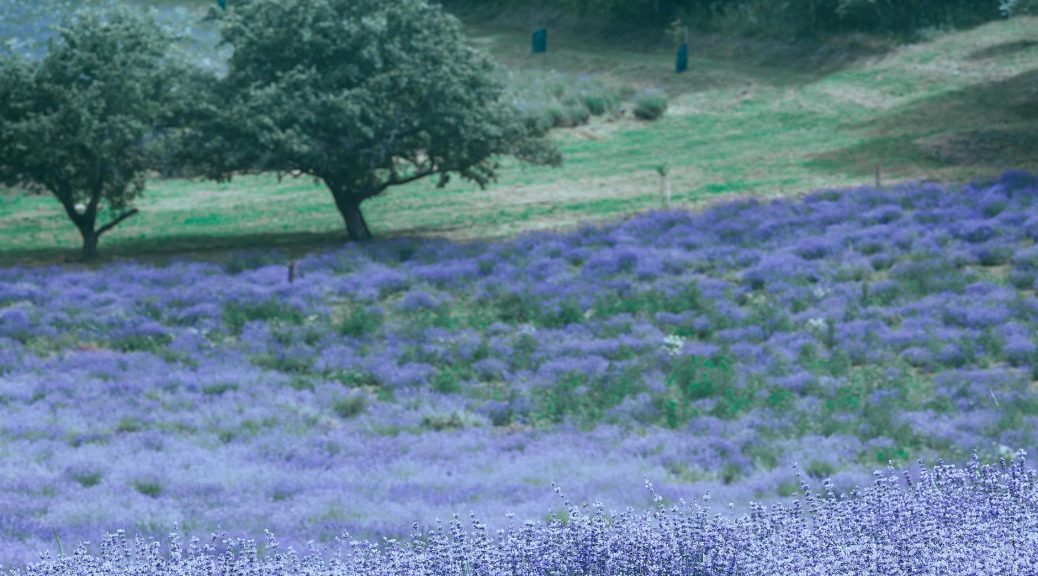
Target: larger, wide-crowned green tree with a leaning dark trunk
{"type": "Point", "coordinates": [362, 95]}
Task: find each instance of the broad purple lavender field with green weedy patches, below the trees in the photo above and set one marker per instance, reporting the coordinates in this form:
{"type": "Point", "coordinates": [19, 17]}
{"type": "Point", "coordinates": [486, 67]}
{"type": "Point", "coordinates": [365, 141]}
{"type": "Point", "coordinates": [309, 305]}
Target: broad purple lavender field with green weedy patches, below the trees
{"type": "Point", "coordinates": [403, 381]}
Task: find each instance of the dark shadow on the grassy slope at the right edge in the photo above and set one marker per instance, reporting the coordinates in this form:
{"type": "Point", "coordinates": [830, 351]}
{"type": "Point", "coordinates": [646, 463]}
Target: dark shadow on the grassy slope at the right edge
{"type": "Point", "coordinates": [984, 129]}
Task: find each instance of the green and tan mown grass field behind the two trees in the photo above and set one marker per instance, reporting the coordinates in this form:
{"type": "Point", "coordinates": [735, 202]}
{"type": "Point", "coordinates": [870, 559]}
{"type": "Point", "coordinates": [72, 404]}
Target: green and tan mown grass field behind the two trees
{"type": "Point", "coordinates": [961, 106]}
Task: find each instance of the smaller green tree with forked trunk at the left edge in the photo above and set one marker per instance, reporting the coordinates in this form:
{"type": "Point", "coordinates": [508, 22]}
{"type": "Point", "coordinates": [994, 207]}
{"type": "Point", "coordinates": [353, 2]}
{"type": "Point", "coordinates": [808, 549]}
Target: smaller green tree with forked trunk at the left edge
{"type": "Point", "coordinates": [81, 124]}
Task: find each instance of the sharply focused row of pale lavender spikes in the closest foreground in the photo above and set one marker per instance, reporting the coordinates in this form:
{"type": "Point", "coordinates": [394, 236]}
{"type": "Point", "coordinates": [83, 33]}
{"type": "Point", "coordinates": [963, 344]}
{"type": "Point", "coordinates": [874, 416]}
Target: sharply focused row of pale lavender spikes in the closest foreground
{"type": "Point", "coordinates": [945, 523]}
